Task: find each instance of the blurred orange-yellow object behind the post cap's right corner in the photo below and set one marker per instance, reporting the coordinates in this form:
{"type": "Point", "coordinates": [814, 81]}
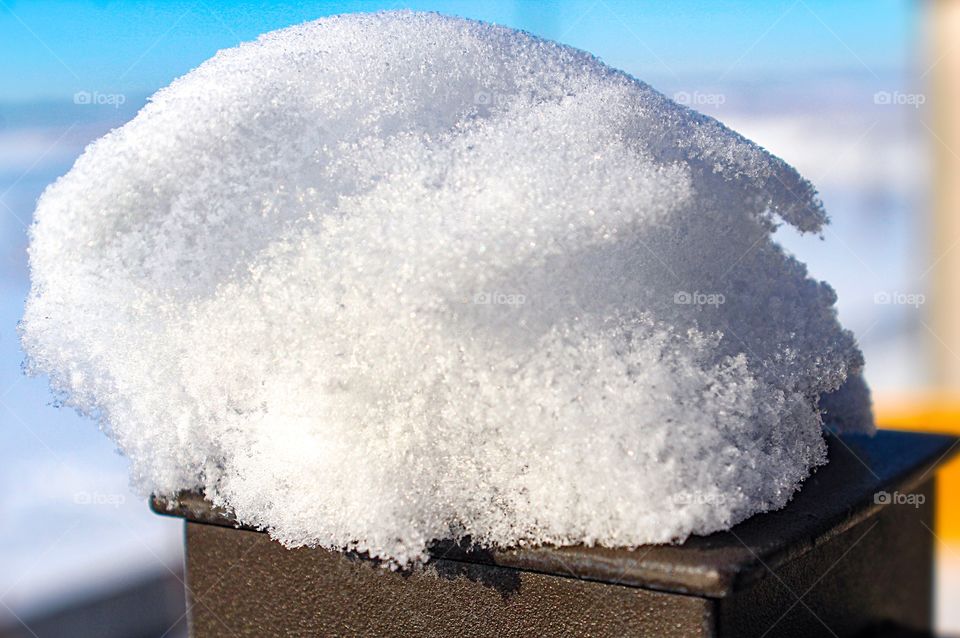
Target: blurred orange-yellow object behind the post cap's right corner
{"type": "Point", "coordinates": [930, 413]}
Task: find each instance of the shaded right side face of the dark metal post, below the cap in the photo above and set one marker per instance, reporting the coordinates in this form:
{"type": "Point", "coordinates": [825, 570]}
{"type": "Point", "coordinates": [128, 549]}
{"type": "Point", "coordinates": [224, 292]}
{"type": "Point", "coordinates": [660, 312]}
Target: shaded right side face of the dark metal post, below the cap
{"type": "Point", "coordinates": [879, 572]}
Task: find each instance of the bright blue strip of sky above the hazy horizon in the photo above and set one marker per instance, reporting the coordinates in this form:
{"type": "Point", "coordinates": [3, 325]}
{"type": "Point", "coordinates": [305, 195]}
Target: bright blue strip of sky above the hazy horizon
{"type": "Point", "coordinates": [53, 48]}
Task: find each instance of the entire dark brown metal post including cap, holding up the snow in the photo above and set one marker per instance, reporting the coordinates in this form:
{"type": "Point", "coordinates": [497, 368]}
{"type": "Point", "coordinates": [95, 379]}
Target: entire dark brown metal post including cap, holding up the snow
{"type": "Point", "coordinates": [834, 562]}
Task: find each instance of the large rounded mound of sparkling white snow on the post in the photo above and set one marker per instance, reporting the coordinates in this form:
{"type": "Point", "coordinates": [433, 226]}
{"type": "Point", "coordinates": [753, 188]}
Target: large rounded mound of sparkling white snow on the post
{"type": "Point", "coordinates": [380, 279]}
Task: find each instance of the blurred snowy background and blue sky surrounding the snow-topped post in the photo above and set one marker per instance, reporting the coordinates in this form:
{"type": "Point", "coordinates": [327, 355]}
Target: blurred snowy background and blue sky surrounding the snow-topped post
{"type": "Point", "coordinates": [862, 97]}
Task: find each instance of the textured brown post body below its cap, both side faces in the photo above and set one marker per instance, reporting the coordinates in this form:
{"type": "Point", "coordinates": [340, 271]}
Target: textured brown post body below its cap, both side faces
{"type": "Point", "coordinates": [874, 575]}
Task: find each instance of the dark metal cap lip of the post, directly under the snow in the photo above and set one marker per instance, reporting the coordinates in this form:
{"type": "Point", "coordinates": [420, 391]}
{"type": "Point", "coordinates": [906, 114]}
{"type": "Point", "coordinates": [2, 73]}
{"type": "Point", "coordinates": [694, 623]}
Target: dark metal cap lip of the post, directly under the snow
{"type": "Point", "coordinates": [836, 498]}
